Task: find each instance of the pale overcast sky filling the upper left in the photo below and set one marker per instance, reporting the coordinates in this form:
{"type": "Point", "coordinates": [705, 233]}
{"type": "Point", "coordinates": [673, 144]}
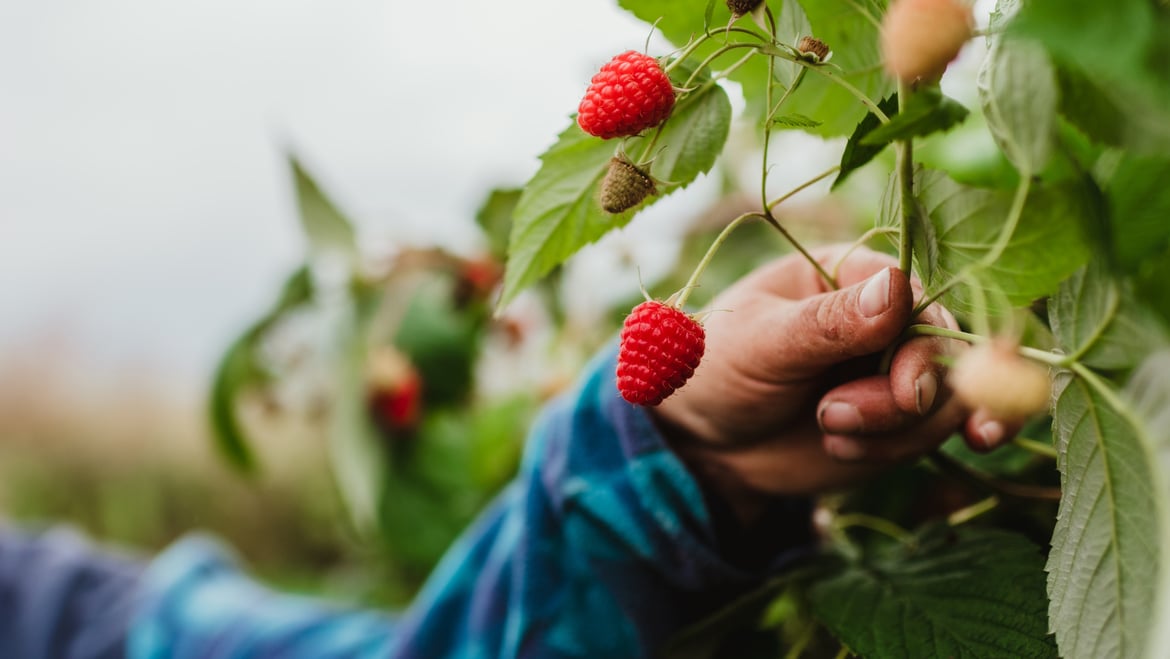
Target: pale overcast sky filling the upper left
{"type": "Point", "coordinates": [144, 201]}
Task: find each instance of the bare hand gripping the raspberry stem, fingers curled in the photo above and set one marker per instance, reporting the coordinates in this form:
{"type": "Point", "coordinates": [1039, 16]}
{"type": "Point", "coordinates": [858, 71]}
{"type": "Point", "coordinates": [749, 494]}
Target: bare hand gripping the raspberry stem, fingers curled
{"type": "Point", "coordinates": [789, 400]}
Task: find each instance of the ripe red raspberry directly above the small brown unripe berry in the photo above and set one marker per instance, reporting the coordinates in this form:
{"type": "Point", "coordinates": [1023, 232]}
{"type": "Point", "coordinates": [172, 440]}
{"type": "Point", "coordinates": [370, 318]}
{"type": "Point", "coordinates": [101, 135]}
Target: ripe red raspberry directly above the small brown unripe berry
{"type": "Point", "coordinates": [629, 95]}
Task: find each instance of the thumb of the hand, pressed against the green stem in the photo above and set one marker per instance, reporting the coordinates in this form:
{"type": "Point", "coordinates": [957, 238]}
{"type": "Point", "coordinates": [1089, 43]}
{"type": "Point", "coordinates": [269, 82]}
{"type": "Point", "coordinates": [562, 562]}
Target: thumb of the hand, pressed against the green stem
{"type": "Point", "coordinates": [830, 328]}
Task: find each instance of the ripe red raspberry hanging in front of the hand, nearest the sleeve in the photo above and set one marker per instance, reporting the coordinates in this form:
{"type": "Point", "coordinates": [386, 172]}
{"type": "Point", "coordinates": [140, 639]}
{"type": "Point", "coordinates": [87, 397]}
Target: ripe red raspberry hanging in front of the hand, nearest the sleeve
{"type": "Point", "coordinates": [662, 347]}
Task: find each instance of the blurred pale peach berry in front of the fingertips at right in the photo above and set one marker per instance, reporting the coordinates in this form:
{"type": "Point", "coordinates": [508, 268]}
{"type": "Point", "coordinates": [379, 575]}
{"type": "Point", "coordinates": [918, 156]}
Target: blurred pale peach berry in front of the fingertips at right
{"type": "Point", "coordinates": [993, 376]}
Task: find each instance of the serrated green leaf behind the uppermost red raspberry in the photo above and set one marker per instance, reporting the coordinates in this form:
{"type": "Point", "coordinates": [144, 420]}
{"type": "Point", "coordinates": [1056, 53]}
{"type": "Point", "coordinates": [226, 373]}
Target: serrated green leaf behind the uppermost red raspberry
{"type": "Point", "coordinates": [559, 212]}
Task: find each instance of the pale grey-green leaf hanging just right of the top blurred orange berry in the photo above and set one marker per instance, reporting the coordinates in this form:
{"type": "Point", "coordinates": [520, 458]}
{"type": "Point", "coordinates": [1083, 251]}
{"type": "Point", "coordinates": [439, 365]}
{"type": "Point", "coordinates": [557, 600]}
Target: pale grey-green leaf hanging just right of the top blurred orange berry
{"type": "Point", "coordinates": [1018, 92]}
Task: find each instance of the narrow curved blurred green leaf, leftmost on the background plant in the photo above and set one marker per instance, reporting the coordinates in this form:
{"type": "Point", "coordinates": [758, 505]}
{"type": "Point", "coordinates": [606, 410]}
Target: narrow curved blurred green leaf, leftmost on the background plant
{"type": "Point", "coordinates": [239, 369]}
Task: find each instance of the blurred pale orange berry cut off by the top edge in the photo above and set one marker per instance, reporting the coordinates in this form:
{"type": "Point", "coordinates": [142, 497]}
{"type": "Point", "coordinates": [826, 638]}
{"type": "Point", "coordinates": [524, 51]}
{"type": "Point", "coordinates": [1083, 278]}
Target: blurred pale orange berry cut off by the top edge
{"type": "Point", "coordinates": [920, 38]}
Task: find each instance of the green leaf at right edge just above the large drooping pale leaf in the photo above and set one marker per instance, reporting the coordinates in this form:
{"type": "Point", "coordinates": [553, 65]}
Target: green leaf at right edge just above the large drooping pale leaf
{"type": "Point", "coordinates": [1098, 321]}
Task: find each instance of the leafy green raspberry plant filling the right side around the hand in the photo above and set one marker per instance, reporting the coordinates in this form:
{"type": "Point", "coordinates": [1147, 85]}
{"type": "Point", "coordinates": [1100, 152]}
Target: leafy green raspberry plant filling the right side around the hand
{"type": "Point", "coordinates": [1055, 257]}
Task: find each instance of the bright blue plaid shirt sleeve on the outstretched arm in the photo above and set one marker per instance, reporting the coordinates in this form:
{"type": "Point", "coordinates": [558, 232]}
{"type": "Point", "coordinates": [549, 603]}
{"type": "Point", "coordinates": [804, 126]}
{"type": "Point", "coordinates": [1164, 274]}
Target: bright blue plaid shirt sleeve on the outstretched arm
{"type": "Point", "coordinates": [604, 546]}
